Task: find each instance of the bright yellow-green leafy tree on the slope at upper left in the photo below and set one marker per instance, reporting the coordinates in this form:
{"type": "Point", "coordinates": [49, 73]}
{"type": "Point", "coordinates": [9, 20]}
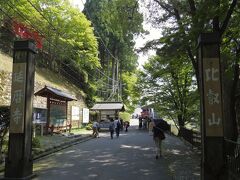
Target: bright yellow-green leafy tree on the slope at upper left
{"type": "Point", "coordinates": [68, 39]}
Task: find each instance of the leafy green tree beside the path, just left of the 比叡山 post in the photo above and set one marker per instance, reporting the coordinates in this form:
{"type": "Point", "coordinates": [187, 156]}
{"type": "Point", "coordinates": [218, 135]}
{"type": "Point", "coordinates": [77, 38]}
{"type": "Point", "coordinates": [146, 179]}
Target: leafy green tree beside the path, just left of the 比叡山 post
{"type": "Point", "coordinates": [168, 83]}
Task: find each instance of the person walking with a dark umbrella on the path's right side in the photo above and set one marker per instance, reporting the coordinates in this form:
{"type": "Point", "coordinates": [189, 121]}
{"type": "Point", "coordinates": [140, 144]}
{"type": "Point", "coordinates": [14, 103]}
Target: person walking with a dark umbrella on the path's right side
{"type": "Point", "coordinates": [158, 136]}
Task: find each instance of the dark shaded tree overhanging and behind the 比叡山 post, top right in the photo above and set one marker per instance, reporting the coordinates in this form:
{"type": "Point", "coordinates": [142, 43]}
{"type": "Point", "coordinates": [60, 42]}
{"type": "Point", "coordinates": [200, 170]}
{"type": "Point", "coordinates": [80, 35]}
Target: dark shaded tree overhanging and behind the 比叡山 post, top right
{"type": "Point", "coordinates": [183, 21]}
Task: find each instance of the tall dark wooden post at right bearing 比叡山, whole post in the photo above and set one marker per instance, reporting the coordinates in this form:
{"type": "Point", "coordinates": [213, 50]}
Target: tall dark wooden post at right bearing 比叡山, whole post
{"type": "Point", "coordinates": [211, 107]}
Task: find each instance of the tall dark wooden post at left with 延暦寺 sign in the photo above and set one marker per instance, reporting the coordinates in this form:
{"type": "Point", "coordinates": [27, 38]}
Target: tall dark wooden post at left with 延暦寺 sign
{"type": "Point", "coordinates": [19, 161]}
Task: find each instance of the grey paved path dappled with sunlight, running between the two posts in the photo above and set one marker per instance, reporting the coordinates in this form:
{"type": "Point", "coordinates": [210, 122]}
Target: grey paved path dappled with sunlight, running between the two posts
{"type": "Point", "coordinates": [129, 157]}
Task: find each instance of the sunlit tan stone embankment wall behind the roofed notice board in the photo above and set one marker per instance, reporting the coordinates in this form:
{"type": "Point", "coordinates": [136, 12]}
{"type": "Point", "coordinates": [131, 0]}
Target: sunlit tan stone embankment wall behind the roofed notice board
{"type": "Point", "coordinates": [42, 77]}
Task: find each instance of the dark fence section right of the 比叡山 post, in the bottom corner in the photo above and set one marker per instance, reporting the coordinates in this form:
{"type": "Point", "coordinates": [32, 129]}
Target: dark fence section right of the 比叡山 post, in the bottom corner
{"type": "Point", "coordinates": [232, 150]}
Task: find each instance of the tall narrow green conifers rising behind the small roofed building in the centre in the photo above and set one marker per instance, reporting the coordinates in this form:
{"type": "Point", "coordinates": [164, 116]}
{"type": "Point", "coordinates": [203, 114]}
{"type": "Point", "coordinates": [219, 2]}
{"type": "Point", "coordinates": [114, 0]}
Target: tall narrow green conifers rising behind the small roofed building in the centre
{"type": "Point", "coordinates": [116, 23]}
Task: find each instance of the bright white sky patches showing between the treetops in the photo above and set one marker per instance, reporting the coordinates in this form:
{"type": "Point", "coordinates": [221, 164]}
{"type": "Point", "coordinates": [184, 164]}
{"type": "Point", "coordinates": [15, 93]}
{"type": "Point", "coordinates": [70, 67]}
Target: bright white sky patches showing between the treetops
{"type": "Point", "coordinates": [140, 41]}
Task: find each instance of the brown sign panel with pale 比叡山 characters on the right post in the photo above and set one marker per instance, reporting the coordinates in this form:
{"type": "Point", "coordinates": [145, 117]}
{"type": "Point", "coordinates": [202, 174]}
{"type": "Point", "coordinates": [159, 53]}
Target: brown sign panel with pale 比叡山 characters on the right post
{"type": "Point", "coordinates": [212, 97]}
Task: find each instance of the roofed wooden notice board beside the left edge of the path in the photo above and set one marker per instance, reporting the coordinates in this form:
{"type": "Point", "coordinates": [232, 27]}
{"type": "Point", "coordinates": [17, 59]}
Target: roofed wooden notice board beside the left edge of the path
{"type": "Point", "coordinates": [57, 105]}
